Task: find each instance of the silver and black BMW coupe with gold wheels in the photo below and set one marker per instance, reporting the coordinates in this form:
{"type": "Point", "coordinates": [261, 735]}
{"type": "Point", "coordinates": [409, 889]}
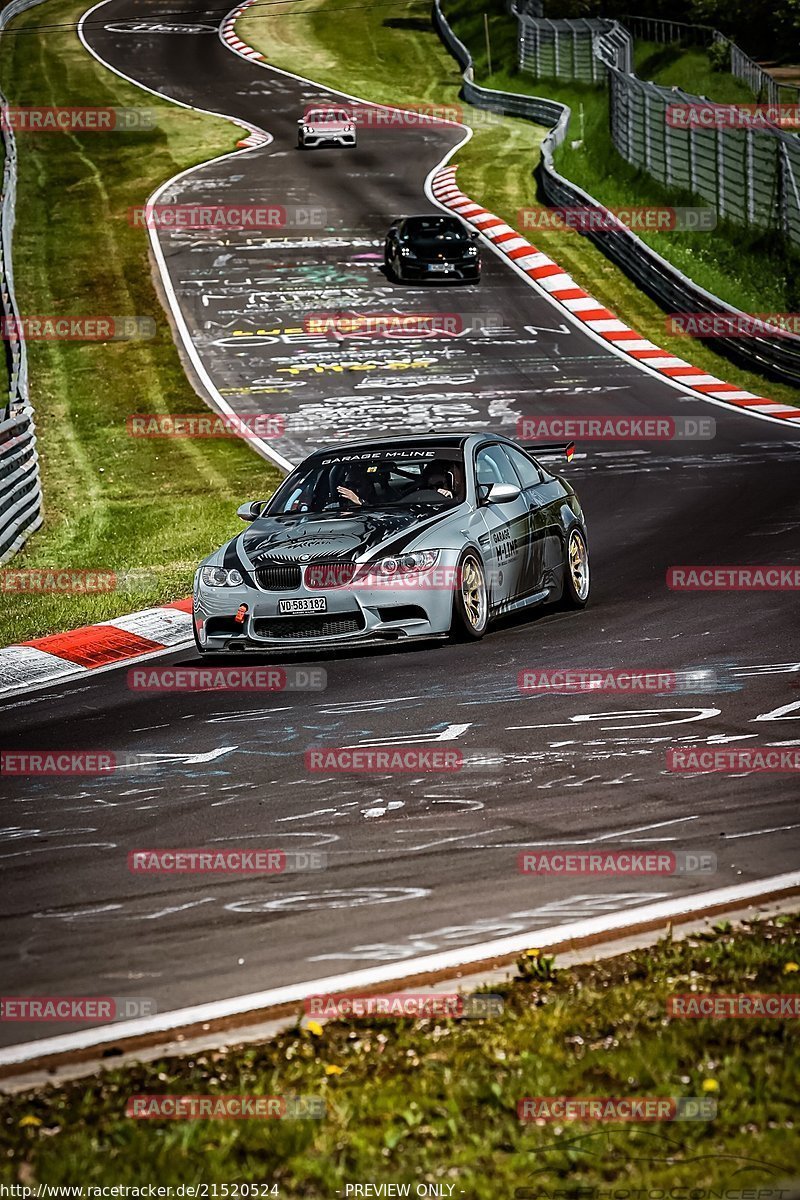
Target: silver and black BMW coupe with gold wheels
{"type": "Point", "coordinates": [395, 539]}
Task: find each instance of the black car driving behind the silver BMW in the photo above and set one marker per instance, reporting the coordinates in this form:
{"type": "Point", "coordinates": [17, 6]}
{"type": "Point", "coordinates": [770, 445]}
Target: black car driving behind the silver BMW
{"type": "Point", "coordinates": [432, 248]}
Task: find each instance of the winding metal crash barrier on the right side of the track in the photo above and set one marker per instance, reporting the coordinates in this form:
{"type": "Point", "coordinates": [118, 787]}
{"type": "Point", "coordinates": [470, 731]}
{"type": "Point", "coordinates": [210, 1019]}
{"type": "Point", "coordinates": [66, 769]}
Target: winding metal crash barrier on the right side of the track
{"type": "Point", "coordinates": [778, 358]}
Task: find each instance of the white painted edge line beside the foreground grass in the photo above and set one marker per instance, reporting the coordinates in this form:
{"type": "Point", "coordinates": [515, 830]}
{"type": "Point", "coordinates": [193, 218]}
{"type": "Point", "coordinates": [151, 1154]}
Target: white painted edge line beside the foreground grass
{"type": "Point", "coordinates": [609, 925]}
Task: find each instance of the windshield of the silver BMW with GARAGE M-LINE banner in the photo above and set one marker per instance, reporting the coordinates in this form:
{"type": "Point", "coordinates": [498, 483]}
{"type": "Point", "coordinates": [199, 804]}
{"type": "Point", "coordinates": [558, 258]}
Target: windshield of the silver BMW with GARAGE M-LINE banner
{"type": "Point", "coordinates": [375, 479]}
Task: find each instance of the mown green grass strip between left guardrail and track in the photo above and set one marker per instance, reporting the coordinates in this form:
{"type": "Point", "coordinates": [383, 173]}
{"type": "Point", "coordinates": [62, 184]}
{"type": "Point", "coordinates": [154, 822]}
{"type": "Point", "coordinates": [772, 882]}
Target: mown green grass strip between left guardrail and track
{"type": "Point", "coordinates": [112, 502]}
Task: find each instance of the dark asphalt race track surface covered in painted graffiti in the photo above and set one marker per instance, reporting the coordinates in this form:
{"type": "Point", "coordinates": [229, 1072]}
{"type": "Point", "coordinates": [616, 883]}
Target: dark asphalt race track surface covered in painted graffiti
{"type": "Point", "coordinates": [416, 863]}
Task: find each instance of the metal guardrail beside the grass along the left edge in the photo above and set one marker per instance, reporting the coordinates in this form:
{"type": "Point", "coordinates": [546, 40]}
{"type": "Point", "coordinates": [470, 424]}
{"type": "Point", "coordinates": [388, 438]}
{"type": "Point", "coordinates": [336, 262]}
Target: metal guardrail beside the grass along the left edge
{"type": "Point", "coordinates": [21, 491]}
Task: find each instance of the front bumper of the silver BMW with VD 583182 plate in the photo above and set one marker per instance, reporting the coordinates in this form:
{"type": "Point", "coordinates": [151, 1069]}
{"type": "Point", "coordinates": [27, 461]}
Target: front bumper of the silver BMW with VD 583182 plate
{"type": "Point", "coordinates": [354, 615]}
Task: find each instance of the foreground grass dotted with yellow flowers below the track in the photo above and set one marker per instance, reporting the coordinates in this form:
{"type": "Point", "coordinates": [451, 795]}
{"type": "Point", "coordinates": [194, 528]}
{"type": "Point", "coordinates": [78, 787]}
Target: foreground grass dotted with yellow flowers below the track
{"type": "Point", "coordinates": [436, 1101]}
